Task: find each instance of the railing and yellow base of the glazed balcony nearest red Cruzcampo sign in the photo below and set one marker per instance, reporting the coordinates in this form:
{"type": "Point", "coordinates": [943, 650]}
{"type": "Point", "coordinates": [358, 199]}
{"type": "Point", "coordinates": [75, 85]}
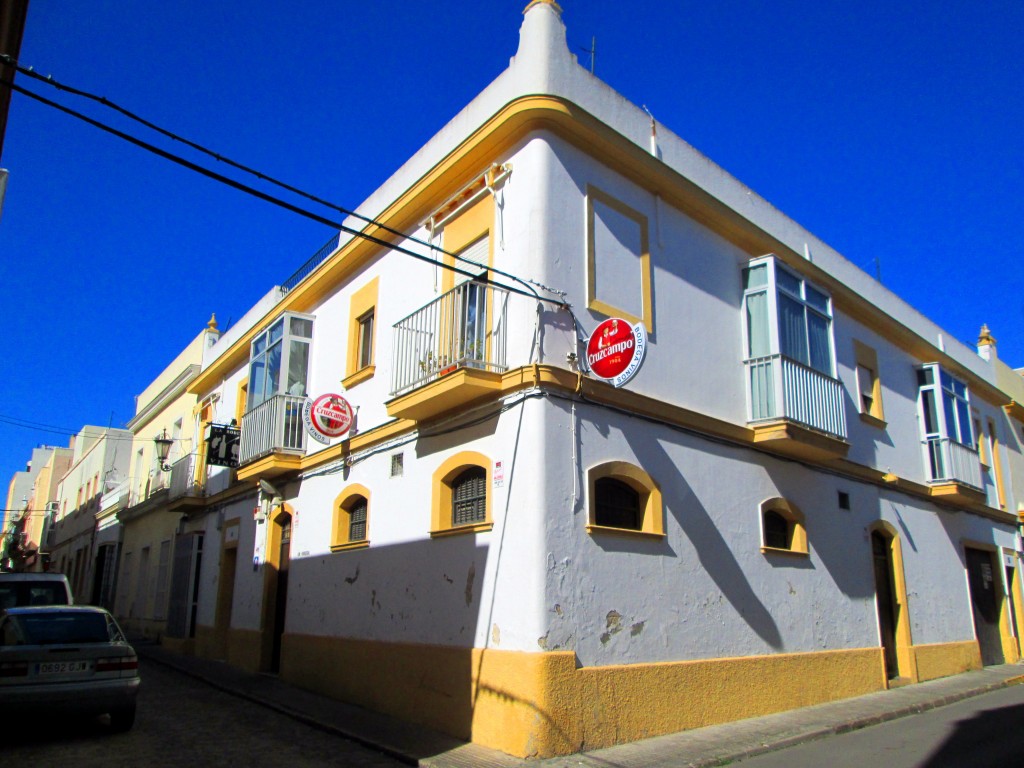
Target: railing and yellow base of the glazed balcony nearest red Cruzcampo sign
{"type": "Point", "coordinates": [796, 408]}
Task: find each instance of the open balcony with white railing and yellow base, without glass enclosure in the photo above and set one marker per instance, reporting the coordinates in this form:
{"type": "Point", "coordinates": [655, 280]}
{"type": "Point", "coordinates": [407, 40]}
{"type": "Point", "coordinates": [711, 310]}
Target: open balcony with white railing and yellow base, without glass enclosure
{"type": "Point", "coordinates": [453, 351]}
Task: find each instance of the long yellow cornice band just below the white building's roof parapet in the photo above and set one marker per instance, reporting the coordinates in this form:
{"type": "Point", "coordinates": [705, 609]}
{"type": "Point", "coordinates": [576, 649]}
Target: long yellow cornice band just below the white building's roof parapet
{"type": "Point", "coordinates": [543, 113]}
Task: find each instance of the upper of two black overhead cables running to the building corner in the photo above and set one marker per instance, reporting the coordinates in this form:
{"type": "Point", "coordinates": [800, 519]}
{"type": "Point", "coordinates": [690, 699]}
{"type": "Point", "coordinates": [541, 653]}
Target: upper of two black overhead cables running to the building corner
{"type": "Point", "coordinates": [50, 80]}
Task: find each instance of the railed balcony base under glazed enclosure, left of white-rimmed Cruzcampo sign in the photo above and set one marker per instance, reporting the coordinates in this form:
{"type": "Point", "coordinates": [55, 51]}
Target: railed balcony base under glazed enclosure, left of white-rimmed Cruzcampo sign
{"type": "Point", "coordinates": [274, 429]}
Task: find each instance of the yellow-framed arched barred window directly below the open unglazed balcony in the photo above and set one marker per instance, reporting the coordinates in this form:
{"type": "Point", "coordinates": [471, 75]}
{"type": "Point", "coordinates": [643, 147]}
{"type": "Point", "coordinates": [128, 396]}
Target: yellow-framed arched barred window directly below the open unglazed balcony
{"type": "Point", "coordinates": [461, 502]}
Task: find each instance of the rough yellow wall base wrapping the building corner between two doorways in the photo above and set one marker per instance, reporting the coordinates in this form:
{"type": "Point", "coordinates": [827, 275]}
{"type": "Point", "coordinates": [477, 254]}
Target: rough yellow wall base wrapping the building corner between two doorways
{"type": "Point", "coordinates": [540, 705]}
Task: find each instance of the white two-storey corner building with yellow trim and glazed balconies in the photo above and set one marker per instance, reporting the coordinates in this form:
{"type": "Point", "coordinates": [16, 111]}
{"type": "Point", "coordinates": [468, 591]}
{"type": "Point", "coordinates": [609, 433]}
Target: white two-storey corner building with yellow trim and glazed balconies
{"type": "Point", "coordinates": [802, 495]}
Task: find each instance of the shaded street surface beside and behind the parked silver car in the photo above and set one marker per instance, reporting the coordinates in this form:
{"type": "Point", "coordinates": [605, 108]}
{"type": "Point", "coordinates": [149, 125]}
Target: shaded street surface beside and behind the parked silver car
{"type": "Point", "coordinates": [183, 721]}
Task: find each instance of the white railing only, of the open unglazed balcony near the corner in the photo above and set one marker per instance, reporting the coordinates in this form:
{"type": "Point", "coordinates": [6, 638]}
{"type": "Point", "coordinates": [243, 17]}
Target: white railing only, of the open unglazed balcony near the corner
{"type": "Point", "coordinates": [464, 328]}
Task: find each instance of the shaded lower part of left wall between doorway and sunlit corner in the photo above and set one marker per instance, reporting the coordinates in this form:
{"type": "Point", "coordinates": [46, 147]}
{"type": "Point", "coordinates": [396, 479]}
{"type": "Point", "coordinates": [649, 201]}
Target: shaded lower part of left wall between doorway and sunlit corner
{"type": "Point", "coordinates": [392, 629]}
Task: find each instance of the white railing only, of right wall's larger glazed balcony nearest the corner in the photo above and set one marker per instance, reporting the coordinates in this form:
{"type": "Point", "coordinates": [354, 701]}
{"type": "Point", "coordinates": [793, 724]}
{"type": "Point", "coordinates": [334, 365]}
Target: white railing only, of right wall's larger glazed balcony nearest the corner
{"type": "Point", "coordinates": [782, 389]}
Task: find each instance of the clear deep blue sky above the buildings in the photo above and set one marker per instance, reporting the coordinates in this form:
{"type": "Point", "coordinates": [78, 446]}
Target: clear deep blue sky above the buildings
{"type": "Point", "coordinates": [890, 131]}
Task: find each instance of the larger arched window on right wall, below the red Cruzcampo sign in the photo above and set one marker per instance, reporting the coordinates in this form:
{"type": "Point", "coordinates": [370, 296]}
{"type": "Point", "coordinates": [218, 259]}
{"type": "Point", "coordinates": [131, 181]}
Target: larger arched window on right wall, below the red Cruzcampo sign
{"type": "Point", "coordinates": [624, 498]}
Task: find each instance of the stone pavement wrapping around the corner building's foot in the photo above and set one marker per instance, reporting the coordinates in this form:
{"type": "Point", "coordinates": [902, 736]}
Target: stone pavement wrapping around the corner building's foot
{"type": "Point", "coordinates": [713, 746]}
